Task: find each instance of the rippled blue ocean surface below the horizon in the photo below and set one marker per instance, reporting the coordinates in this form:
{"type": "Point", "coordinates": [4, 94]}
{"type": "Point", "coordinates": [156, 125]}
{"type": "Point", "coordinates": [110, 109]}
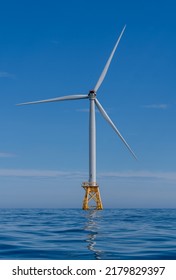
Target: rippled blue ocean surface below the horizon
{"type": "Point", "coordinates": [74, 234]}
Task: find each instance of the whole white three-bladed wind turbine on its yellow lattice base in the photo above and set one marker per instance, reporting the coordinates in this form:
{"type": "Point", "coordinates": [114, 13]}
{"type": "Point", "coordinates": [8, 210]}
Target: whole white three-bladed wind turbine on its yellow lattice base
{"type": "Point", "coordinates": [91, 187]}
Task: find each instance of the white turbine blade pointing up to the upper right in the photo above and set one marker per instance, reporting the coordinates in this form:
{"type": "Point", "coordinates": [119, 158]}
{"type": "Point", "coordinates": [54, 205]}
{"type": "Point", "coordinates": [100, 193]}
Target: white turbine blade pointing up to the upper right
{"type": "Point", "coordinates": [103, 74]}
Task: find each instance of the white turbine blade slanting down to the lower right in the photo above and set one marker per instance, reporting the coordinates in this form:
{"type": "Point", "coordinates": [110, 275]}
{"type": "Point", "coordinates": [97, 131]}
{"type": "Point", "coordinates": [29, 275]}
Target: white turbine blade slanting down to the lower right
{"type": "Point", "coordinates": [107, 118]}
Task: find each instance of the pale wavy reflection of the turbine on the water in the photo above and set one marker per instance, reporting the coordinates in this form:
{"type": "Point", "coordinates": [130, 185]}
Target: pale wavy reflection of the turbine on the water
{"type": "Point", "coordinates": [92, 225]}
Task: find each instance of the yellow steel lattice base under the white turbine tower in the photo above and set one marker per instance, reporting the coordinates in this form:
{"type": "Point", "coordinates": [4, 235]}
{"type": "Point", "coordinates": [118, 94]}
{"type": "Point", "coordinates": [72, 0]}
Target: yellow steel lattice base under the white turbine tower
{"type": "Point", "coordinates": [92, 194]}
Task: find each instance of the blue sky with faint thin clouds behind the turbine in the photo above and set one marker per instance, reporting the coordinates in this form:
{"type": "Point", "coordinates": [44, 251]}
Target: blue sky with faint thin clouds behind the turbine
{"type": "Point", "coordinates": [56, 48]}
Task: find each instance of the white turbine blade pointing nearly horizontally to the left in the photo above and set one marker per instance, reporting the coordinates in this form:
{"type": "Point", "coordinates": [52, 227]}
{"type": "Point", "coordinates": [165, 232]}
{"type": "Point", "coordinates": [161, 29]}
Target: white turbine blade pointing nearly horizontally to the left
{"type": "Point", "coordinates": [63, 98]}
